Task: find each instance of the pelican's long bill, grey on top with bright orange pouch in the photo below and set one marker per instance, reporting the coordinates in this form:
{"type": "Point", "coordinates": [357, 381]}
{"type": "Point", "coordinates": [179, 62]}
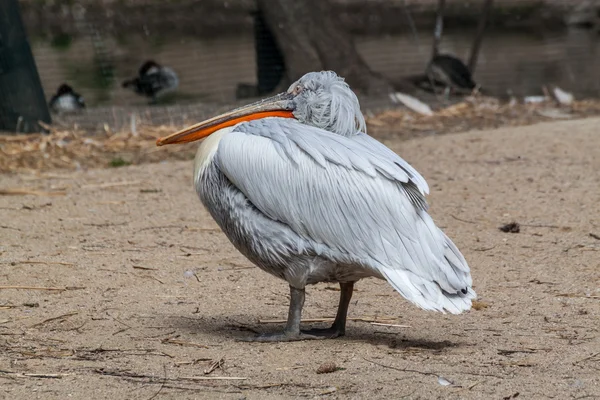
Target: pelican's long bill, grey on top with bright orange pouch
{"type": "Point", "coordinates": [276, 106]}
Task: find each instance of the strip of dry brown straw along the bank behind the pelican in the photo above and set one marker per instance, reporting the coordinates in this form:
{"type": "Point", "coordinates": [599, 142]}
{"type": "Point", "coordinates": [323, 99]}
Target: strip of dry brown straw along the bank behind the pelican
{"type": "Point", "coordinates": [75, 149]}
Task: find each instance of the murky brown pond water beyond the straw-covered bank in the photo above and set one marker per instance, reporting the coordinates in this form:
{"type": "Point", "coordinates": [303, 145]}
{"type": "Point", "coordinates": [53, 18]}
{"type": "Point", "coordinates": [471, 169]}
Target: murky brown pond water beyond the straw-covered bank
{"type": "Point", "coordinates": [210, 69]}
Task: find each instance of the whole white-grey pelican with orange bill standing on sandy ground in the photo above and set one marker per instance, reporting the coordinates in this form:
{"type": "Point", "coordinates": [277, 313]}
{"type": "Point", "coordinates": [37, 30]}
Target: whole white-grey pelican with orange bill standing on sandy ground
{"type": "Point", "coordinates": [306, 195]}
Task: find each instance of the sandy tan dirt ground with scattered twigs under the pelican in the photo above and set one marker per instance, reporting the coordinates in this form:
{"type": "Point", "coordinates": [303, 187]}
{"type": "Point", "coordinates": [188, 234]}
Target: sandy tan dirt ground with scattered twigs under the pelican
{"type": "Point", "coordinates": [124, 288]}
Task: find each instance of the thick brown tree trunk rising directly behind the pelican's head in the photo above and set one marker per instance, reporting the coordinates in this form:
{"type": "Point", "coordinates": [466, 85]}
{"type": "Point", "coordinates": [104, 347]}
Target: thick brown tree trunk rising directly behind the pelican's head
{"type": "Point", "coordinates": [310, 40]}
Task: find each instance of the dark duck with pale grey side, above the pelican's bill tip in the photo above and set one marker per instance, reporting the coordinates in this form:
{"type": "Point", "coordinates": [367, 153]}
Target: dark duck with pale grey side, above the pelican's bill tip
{"type": "Point", "coordinates": [153, 81]}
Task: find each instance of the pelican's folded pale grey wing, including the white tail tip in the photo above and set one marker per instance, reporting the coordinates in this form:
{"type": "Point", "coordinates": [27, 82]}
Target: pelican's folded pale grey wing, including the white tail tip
{"type": "Point", "coordinates": [353, 198]}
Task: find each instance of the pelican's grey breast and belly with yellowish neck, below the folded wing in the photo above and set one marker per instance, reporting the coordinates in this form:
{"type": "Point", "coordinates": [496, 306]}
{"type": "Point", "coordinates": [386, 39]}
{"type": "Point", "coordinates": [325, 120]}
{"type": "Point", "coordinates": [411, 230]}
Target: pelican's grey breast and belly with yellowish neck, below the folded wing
{"type": "Point", "coordinates": [269, 243]}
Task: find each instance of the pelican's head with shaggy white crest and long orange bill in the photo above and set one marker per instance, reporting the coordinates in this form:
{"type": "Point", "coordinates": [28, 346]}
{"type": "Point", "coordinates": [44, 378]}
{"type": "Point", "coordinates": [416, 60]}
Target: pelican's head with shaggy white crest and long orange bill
{"type": "Point", "coordinates": [321, 99]}
